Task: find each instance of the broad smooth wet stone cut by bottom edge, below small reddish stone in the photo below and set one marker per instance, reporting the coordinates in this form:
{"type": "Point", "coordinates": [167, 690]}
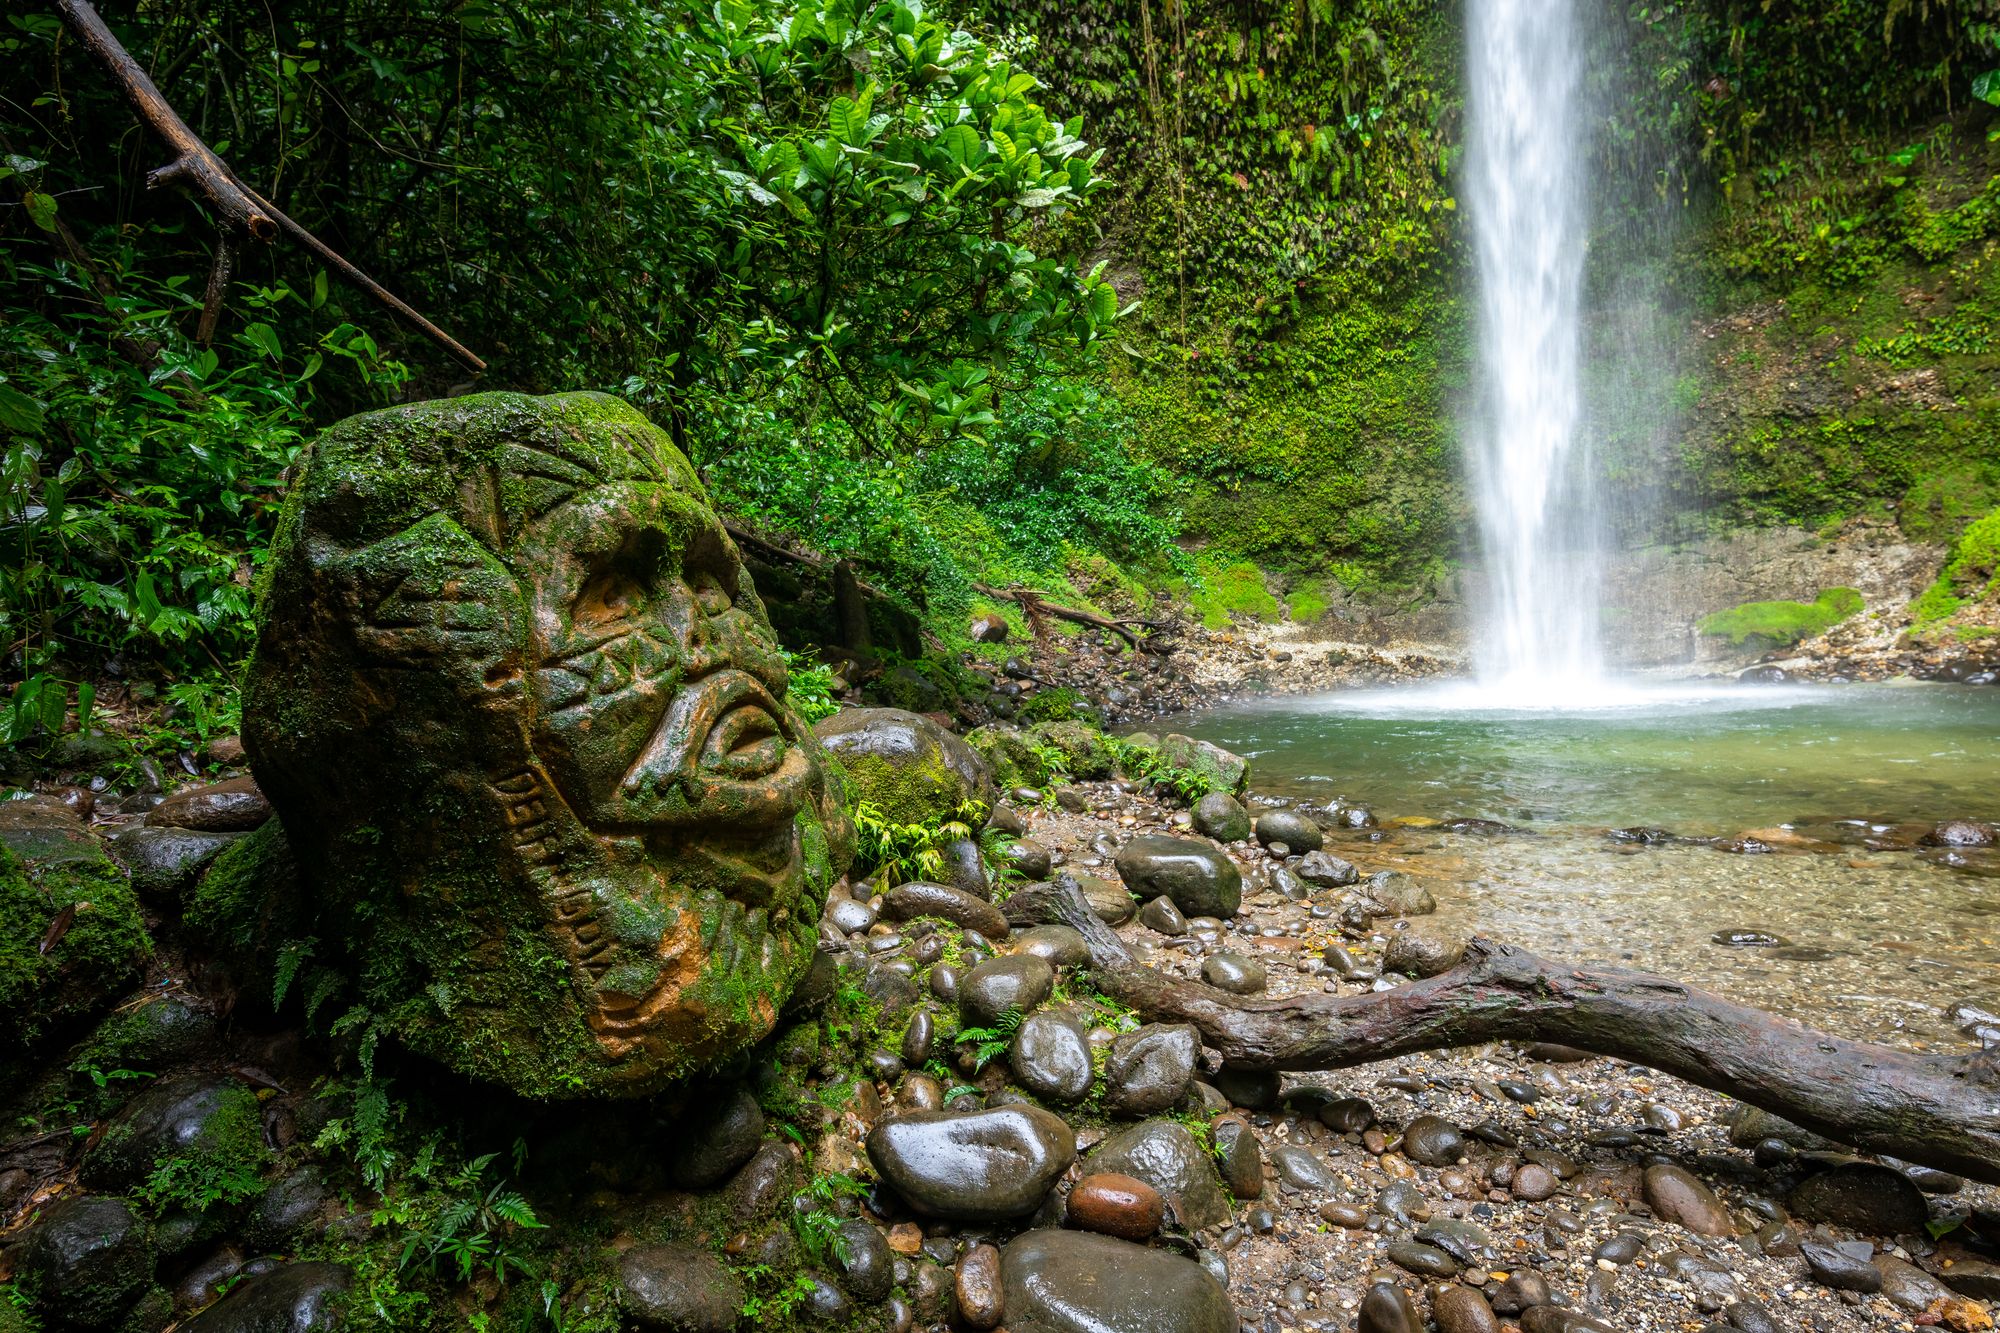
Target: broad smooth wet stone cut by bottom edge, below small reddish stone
{"type": "Point", "coordinates": [1075, 1282]}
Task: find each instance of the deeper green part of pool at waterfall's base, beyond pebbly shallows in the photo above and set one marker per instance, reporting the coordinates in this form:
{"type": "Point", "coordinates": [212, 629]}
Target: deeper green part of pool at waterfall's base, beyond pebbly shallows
{"type": "Point", "coordinates": [1701, 760]}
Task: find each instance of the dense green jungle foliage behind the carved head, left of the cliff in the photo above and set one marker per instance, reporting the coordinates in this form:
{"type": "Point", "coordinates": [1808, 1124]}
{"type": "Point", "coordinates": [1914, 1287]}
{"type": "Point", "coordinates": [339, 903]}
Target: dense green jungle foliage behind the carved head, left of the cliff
{"type": "Point", "coordinates": [833, 245]}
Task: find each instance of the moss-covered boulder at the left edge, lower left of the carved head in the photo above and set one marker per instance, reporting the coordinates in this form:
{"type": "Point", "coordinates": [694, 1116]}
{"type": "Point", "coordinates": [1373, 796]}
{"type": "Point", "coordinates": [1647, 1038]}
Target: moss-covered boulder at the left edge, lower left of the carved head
{"type": "Point", "coordinates": [71, 934]}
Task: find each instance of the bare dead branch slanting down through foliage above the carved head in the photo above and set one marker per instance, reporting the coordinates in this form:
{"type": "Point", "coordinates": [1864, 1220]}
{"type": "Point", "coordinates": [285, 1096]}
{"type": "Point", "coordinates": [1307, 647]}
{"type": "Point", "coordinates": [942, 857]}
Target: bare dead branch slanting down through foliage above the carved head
{"type": "Point", "coordinates": [241, 211]}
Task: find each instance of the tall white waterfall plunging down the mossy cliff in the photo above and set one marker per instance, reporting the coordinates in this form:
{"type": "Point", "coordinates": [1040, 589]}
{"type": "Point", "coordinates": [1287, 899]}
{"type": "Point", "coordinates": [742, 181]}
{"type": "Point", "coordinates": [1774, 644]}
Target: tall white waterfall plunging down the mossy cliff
{"type": "Point", "coordinates": [1531, 469]}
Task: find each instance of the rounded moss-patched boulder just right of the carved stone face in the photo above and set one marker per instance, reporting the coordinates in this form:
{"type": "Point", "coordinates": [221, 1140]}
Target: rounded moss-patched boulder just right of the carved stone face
{"type": "Point", "coordinates": [907, 766]}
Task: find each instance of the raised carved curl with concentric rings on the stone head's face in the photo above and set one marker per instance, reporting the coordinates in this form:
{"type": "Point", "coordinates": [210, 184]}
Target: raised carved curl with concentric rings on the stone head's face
{"type": "Point", "coordinates": [725, 744]}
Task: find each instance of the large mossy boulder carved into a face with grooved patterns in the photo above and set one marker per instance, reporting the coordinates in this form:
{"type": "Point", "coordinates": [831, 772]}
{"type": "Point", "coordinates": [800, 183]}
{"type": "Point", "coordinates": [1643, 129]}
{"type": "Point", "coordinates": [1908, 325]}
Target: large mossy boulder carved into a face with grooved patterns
{"type": "Point", "coordinates": [523, 720]}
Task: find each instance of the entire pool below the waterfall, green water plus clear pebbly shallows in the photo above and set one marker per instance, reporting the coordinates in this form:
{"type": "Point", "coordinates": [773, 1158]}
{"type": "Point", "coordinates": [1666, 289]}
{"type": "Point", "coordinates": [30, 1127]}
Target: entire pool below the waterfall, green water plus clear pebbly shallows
{"type": "Point", "coordinates": [1883, 944]}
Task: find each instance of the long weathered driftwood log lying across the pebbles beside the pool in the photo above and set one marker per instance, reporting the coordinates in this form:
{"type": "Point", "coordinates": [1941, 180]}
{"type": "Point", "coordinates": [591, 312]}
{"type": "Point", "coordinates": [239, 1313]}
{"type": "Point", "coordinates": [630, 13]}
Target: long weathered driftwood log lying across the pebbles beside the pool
{"type": "Point", "coordinates": [1933, 1110]}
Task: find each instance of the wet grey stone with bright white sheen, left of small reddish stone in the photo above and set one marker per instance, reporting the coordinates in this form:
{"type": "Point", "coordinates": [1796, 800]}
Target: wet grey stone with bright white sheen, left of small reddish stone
{"type": "Point", "coordinates": [975, 1166]}
